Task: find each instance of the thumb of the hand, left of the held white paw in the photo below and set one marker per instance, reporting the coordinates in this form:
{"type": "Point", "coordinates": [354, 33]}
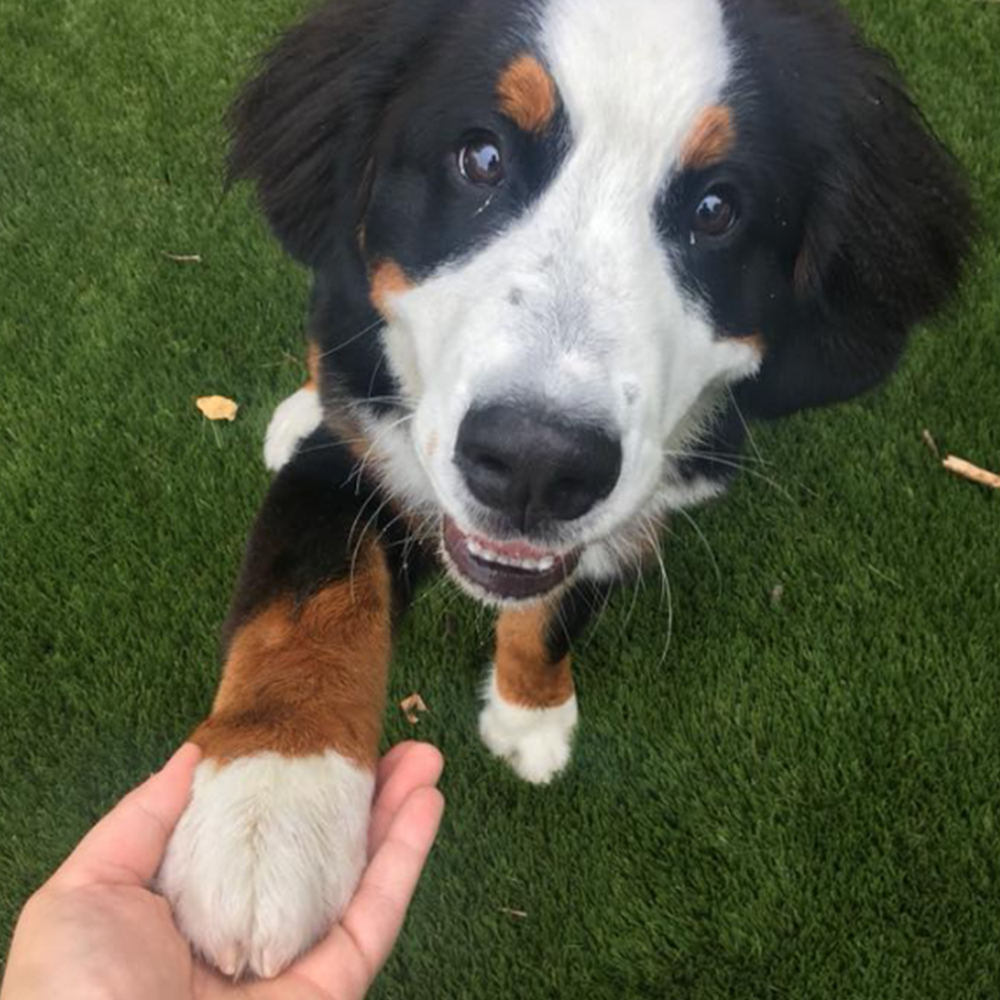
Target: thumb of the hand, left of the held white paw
{"type": "Point", "coordinates": [128, 844]}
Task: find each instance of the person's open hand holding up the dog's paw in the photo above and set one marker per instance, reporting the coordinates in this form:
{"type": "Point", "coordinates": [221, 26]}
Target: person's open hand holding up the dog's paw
{"type": "Point", "coordinates": [96, 930]}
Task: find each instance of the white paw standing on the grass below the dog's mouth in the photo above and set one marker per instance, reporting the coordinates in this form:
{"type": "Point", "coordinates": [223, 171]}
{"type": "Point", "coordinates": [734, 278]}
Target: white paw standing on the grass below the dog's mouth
{"type": "Point", "coordinates": [537, 743]}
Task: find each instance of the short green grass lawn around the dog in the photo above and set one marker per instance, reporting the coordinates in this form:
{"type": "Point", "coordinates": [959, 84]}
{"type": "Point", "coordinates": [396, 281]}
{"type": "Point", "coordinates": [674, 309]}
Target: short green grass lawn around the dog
{"type": "Point", "coordinates": [801, 800]}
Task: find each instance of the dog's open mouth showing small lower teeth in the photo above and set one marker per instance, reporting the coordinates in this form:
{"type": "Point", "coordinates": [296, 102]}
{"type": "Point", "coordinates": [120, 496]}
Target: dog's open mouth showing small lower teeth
{"type": "Point", "coordinates": [513, 571]}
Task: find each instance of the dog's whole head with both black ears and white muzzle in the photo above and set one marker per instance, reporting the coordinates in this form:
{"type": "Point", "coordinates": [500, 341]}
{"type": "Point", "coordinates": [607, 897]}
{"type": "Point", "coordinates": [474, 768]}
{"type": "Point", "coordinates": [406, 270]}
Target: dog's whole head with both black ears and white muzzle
{"type": "Point", "coordinates": [552, 239]}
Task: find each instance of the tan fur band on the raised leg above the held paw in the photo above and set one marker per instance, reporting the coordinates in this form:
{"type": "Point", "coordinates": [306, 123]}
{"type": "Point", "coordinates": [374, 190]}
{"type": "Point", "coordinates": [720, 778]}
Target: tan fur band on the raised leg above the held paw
{"type": "Point", "coordinates": [299, 681]}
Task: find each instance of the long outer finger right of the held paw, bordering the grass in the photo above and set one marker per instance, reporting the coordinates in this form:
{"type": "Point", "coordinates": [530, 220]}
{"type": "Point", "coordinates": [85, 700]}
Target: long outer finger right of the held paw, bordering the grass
{"type": "Point", "coordinates": [347, 962]}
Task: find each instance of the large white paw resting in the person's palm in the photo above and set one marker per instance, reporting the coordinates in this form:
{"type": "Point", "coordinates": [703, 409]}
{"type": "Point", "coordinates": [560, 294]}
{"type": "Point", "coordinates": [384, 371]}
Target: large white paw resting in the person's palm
{"type": "Point", "coordinates": [267, 857]}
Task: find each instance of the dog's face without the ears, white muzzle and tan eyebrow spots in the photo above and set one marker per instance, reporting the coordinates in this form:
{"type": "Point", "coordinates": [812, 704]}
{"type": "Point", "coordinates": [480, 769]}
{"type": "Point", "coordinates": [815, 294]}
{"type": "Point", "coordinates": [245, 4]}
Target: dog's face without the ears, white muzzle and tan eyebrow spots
{"type": "Point", "coordinates": [534, 248]}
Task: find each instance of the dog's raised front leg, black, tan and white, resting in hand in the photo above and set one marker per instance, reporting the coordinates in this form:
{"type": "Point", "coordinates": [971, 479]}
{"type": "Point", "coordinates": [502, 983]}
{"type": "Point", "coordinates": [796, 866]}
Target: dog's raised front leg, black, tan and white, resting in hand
{"type": "Point", "coordinates": [274, 840]}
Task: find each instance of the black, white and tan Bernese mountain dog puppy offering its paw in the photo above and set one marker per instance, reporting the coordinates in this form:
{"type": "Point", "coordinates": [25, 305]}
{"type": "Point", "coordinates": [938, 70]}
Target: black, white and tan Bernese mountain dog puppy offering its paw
{"type": "Point", "coordinates": [562, 251]}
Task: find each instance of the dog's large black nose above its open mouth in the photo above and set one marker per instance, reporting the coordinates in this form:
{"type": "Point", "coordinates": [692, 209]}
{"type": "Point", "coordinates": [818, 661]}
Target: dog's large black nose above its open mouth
{"type": "Point", "coordinates": [533, 467]}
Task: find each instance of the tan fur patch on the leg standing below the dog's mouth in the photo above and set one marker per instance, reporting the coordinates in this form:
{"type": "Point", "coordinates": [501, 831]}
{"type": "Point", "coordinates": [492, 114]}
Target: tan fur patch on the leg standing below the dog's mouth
{"type": "Point", "coordinates": [525, 674]}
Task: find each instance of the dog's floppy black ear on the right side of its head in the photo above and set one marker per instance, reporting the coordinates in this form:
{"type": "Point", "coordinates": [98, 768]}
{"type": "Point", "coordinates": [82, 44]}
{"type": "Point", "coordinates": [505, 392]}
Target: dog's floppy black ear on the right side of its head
{"type": "Point", "coordinates": [888, 225]}
